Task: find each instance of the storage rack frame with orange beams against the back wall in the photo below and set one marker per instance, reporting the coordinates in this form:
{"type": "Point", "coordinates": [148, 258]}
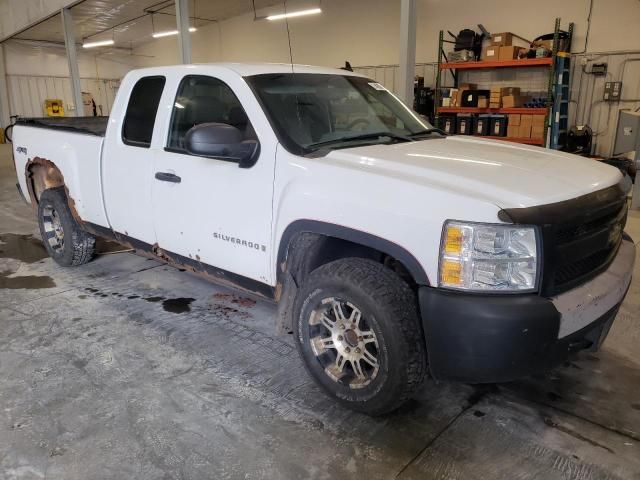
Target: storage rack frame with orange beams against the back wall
{"type": "Point", "coordinates": [556, 111]}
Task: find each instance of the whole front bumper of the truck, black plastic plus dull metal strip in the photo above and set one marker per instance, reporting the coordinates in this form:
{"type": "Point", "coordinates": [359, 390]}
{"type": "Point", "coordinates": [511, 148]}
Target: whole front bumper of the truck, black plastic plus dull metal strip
{"type": "Point", "coordinates": [497, 338]}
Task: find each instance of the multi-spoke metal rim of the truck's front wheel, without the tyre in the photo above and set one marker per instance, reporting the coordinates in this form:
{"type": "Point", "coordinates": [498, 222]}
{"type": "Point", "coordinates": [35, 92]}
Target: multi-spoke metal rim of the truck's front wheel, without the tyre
{"type": "Point", "coordinates": [344, 343]}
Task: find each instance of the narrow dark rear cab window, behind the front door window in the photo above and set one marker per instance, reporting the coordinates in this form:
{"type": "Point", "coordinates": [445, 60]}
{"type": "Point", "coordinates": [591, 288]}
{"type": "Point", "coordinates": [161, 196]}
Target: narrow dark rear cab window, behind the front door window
{"type": "Point", "coordinates": [139, 120]}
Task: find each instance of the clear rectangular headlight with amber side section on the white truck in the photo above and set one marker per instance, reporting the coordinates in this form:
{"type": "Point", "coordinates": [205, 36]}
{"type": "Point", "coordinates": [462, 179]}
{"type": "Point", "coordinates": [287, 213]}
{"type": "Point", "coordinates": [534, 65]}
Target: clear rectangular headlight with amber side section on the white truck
{"type": "Point", "coordinates": [486, 257]}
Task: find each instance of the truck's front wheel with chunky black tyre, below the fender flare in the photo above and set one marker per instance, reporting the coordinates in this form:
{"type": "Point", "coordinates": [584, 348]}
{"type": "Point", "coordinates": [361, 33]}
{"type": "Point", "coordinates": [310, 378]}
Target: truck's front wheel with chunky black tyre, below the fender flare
{"type": "Point", "coordinates": [357, 331]}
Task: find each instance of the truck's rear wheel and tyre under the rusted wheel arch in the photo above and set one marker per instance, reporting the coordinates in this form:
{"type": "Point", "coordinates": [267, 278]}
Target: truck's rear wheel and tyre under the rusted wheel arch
{"type": "Point", "coordinates": [62, 236]}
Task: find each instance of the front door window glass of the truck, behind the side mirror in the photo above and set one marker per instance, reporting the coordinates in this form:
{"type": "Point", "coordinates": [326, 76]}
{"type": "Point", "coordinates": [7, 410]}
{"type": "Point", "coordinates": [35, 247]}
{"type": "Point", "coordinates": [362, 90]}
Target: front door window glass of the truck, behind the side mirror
{"type": "Point", "coordinates": [203, 99]}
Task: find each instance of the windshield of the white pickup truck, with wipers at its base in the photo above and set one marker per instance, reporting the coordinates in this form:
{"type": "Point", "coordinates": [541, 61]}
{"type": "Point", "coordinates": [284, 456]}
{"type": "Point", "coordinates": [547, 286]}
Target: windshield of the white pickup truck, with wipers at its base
{"type": "Point", "coordinates": [316, 111]}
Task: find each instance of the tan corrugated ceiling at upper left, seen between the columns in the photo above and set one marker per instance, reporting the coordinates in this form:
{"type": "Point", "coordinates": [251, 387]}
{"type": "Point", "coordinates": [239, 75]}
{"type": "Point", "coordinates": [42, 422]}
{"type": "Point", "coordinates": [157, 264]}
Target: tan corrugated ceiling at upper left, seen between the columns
{"type": "Point", "coordinates": [130, 23]}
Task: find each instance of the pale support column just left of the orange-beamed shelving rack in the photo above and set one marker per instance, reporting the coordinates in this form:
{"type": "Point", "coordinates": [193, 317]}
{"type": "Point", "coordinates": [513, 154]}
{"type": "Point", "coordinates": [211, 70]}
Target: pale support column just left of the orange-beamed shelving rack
{"type": "Point", "coordinates": [407, 50]}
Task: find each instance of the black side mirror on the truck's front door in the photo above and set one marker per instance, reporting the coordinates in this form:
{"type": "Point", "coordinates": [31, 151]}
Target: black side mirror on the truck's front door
{"type": "Point", "coordinates": [223, 142]}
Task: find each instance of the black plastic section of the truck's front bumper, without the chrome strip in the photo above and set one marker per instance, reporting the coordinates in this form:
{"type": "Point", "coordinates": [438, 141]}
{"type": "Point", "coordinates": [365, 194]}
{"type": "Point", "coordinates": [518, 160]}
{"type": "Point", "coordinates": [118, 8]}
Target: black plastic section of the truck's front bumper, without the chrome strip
{"type": "Point", "coordinates": [489, 338]}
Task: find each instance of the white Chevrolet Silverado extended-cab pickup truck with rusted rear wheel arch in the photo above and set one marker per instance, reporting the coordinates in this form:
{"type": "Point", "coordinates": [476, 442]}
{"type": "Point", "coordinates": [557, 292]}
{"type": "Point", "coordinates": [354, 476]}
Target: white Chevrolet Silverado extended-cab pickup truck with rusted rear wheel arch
{"type": "Point", "coordinates": [393, 250]}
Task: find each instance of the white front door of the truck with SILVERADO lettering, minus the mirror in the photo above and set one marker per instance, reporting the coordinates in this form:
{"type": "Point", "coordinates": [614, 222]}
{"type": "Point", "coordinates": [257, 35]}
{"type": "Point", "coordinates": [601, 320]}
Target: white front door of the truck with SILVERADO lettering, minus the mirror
{"type": "Point", "coordinates": [211, 210]}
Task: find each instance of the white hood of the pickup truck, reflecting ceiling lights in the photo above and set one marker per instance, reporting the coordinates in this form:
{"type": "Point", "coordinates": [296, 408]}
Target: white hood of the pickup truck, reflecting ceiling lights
{"type": "Point", "coordinates": [509, 175]}
